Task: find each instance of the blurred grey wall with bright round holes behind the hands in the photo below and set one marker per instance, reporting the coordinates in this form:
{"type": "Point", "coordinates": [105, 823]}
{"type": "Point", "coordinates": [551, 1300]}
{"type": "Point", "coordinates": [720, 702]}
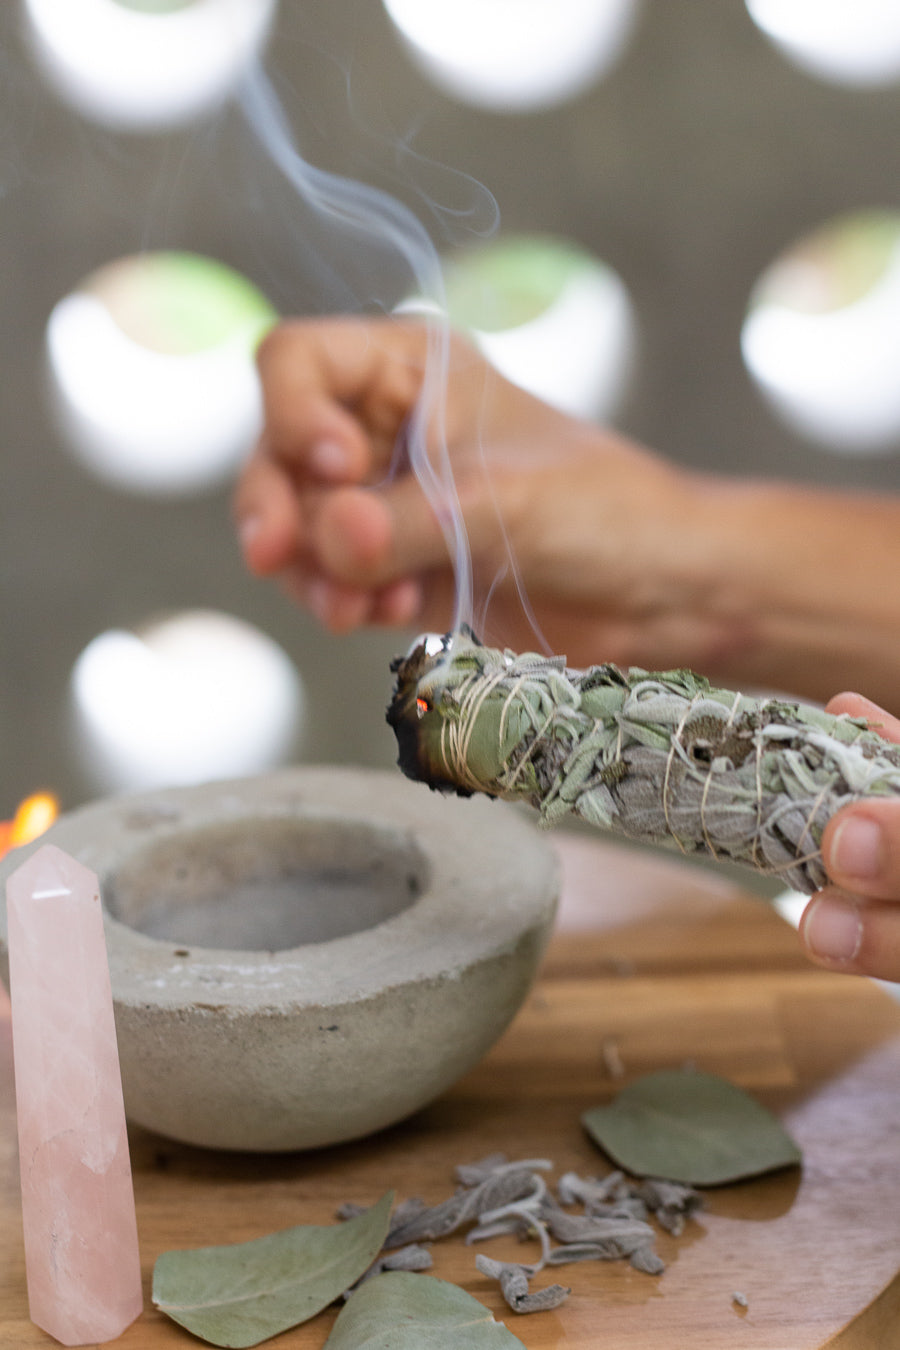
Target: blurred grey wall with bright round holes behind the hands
{"type": "Point", "coordinates": [678, 164]}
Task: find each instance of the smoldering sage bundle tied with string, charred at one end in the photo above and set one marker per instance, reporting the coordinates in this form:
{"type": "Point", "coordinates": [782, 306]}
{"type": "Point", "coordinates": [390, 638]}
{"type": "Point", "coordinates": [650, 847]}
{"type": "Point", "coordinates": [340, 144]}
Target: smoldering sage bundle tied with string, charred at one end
{"type": "Point", "coordinates": [660, 758]}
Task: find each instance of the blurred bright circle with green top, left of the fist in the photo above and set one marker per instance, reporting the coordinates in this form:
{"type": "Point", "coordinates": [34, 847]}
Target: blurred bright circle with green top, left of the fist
{"type": "Point", "coordinates": [152, 364]}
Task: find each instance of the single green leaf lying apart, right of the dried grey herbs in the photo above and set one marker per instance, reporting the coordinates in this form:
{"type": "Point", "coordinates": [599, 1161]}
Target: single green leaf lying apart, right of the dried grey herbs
{"type": "Point", "coordinates": [693, 1128]}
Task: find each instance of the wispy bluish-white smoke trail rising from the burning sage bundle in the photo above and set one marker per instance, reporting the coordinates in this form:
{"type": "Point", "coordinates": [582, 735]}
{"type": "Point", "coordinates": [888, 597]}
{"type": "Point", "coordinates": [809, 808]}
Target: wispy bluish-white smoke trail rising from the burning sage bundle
{"type": "Point", "coordinates": [376, 219]}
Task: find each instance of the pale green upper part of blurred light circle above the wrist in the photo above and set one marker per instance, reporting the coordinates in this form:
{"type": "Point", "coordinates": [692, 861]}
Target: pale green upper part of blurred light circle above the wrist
{"type": "Point", "coordinates": [512, 281]}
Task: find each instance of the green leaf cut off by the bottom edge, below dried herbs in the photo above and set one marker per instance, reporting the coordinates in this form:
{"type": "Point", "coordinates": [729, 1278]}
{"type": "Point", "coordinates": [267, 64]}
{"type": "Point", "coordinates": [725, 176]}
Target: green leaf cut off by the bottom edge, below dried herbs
{"type": "Point", "coordinates": [403, 1312]}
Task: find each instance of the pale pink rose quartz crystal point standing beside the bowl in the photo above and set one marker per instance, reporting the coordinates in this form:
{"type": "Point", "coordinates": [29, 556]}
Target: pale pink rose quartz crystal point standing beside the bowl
{"type": "Point", "coordinates": [78, 1198]}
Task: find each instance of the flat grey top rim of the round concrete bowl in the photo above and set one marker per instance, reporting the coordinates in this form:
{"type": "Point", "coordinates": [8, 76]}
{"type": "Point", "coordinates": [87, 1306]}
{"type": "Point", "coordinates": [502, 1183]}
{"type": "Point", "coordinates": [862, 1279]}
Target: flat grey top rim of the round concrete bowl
{"type": "Point", "coordinates": [442, 827]}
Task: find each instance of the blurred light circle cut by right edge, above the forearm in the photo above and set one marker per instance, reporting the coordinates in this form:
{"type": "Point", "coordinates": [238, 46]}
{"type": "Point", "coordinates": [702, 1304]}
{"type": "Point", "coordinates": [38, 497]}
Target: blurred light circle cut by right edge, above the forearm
{"type": "Point", "coordinates": [822, 335]}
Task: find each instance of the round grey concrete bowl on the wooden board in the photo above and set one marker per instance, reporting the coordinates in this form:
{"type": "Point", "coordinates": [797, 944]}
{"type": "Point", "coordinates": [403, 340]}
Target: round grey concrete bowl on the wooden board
{"type": "Point", "coordinates": [308, 956]}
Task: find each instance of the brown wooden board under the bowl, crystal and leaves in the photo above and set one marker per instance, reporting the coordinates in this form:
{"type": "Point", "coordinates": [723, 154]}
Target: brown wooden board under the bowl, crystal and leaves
{"type": "Point", "coordinates": [655, 965]}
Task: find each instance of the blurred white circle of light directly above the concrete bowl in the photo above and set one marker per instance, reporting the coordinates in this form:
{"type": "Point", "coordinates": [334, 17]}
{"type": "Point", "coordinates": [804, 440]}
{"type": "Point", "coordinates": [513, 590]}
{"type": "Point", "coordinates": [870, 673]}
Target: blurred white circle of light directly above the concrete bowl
{"type": "Point", "coordinates": [190, 699]}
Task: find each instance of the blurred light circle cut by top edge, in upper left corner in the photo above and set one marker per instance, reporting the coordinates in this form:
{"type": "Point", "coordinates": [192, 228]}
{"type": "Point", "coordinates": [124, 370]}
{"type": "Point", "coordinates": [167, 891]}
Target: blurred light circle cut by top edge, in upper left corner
{"type": "Point", "coordinates": [140, 65]}
